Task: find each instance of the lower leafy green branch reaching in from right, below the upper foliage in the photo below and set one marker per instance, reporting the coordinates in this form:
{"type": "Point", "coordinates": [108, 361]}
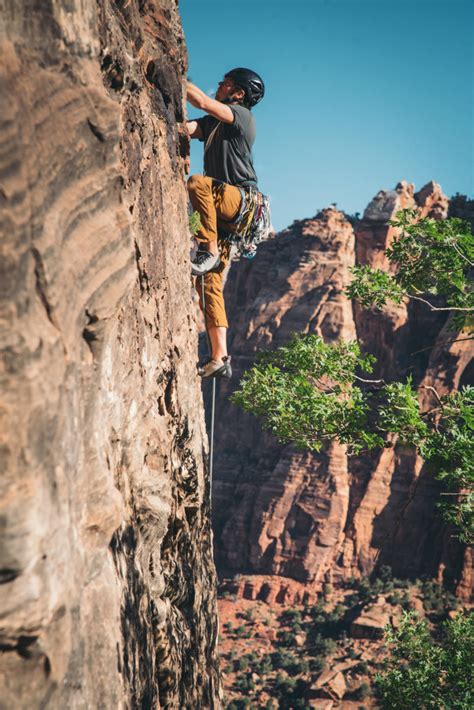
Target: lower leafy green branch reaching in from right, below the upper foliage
{"type": "Point", "coordinates": [308, 392]}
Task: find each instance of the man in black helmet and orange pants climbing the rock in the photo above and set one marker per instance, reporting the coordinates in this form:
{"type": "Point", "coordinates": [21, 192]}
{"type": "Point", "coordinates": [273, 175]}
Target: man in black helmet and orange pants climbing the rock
{"type": "Point", "coordinates": [228, 133]}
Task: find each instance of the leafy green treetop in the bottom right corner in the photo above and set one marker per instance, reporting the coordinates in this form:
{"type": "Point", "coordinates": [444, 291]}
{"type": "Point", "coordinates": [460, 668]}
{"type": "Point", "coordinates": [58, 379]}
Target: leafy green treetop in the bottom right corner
{"type": "Point", "coordinates": [428, 674]}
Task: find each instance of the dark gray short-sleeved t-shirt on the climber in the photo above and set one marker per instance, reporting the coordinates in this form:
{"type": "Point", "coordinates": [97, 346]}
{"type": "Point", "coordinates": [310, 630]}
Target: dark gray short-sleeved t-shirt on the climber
{"type": "Point", "coordinates": [228, 147]}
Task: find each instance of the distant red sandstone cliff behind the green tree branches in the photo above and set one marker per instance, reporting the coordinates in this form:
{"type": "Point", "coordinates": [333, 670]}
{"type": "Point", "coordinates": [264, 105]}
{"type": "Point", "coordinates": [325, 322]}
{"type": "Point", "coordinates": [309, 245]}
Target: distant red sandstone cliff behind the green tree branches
{"type": "Point", "coordinates": [327, 517]}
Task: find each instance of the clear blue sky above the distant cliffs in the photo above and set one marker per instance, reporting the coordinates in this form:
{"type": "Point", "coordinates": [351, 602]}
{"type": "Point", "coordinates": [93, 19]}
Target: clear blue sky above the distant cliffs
{"type": "Point", "coordinates": [360, 94]}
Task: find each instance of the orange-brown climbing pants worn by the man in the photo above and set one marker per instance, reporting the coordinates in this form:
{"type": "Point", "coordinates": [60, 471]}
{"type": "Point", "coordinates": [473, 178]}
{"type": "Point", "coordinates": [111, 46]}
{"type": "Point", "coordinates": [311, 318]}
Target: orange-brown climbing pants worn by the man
{"type": "Point", "coordinates": [217, 203]}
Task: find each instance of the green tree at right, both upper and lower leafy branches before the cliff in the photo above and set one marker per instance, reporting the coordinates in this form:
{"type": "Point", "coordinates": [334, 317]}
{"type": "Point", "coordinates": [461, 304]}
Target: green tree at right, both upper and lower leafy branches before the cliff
{"type": "Point", "coordinates": [309, 392]}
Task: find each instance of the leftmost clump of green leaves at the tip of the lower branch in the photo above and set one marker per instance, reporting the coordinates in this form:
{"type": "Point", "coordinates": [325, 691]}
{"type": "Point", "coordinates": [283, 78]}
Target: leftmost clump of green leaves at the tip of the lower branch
{"type": "Point", "coordinates": [303, 391]}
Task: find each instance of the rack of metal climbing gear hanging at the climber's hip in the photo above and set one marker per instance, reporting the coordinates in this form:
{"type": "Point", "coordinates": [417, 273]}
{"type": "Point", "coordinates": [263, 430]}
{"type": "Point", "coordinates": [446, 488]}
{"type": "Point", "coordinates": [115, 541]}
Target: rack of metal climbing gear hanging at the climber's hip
{"type": "Point", "coordinates": [252, 224]}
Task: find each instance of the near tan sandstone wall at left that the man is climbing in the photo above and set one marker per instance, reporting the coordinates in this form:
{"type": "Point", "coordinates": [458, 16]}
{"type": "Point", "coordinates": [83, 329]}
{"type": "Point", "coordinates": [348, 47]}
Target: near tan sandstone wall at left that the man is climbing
{"type": "Point", "coordinates": [107, 576]}
